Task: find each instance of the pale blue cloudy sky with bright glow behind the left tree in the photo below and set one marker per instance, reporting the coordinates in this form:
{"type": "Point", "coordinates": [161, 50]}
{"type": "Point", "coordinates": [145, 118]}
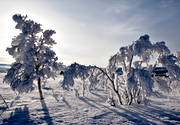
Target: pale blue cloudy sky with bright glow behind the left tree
{"type": "Point", "coordinates": [90, 31]}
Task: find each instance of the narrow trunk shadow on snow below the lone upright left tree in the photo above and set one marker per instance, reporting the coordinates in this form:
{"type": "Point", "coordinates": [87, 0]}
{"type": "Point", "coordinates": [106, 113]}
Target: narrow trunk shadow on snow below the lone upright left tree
{"type": "Point", "coordinates": [47, 116]}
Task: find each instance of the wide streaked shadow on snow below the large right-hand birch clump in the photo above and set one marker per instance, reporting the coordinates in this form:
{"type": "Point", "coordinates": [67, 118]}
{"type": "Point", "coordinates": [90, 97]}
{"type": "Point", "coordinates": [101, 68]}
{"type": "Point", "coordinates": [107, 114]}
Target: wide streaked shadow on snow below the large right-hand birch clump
{"type": "Point", "coordinates": [141, 114]}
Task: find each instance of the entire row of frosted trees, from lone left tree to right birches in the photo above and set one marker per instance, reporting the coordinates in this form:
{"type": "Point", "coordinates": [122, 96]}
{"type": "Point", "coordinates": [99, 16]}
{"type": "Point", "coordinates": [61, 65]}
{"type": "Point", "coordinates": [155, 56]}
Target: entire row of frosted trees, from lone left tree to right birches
{"type": "Point", "coordinates": [35, 61]}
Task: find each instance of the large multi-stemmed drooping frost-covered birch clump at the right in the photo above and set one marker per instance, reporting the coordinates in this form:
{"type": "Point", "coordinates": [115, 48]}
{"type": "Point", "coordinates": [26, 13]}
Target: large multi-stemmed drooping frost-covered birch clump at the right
{"type": "Point", "coordinates": [137, 81]}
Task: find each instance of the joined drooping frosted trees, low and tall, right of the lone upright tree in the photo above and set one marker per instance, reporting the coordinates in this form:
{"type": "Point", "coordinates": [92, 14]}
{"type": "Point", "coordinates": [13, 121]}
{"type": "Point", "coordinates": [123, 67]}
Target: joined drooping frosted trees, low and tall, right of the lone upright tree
{"type": "Point", "coordinates": [137, 61]}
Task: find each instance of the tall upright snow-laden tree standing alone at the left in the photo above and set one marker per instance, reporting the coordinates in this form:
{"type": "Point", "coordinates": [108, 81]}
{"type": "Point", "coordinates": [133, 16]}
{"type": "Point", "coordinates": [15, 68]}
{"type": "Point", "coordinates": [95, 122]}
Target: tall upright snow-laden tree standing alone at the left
{"type": "Point", "coordinates": [34, 58]}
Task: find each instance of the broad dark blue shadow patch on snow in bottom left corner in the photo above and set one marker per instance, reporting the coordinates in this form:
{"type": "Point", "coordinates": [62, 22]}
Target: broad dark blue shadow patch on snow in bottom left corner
{"type": "Point", "coordinates": [19, 117]}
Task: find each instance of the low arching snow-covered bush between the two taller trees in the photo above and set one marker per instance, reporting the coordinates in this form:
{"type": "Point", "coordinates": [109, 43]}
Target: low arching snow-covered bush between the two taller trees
{"type": "Point", "coordinates": [90, 78]}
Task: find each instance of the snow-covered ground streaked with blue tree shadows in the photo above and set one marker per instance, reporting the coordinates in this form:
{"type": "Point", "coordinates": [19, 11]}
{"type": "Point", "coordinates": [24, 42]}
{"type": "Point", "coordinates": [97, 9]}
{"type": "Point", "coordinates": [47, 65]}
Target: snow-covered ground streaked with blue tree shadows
{"type": "Point", "coordinates": [63, 107]}
